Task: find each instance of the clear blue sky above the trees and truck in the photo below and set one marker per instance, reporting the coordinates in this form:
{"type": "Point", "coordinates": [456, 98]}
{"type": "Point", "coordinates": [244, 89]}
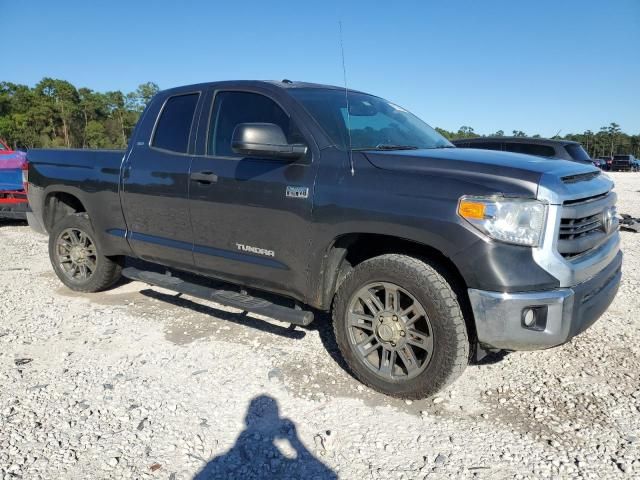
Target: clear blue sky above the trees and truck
{"type": "Point", "coordinates": [534, 65]}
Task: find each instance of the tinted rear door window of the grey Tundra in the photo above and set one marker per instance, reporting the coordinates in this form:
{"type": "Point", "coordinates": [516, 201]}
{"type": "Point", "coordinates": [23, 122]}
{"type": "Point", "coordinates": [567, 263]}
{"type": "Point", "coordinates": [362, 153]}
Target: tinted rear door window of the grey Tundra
{"type": "Point", "coordinates": [174, 125]}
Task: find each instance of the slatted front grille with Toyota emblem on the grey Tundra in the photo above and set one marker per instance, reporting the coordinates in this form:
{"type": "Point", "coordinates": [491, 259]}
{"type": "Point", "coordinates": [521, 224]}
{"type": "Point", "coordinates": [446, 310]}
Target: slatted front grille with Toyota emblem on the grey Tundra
{"type": "Point", "coordinates": [586, 224]}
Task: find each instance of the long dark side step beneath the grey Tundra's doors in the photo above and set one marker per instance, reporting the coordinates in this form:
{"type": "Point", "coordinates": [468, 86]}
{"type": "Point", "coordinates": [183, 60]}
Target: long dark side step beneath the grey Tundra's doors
{"type": "Point", "coordinates": [223, 297]}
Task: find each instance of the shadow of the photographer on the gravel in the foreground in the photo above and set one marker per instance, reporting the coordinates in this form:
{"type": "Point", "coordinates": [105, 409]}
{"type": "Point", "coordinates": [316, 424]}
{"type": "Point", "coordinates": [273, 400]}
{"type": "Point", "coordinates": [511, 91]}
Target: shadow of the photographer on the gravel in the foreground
{"type": "Point", "coordinates": [256, 454]}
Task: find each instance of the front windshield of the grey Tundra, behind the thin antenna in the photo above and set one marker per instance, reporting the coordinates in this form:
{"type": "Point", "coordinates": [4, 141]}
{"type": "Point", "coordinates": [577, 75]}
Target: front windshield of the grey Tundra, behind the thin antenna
{"type": "Point", "coordinates": [374, 122]}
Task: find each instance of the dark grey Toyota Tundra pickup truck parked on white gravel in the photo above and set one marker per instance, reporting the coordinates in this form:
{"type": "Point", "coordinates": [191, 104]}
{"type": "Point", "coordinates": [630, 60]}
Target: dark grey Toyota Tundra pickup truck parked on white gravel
{"type": "Point", "coordinates": [427, 255]}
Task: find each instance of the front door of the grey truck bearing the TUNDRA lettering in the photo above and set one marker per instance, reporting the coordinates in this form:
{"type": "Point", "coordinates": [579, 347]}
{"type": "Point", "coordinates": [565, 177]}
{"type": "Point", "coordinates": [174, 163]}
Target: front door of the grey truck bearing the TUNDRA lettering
{"type": "Point", "coordinates": [252, 216]}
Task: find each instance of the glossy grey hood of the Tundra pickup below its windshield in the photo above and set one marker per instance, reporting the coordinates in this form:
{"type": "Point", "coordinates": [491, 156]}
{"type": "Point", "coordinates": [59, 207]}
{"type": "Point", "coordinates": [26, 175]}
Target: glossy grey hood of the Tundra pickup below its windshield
{"type": "Point", "coordinates": [503, 172]}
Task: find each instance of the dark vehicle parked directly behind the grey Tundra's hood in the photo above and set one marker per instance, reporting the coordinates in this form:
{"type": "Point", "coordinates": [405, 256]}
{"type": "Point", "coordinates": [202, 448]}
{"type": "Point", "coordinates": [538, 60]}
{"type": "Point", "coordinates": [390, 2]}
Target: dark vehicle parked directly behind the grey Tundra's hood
{"type": "Point", "coordinates": [540, 147]}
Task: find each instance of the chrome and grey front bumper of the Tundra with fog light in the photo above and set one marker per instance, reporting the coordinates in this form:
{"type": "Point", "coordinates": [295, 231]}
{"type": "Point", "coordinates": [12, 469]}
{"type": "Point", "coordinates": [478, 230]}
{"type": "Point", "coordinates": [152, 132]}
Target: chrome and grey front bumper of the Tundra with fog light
{"type": "Point", "coordinates": [560, 314]}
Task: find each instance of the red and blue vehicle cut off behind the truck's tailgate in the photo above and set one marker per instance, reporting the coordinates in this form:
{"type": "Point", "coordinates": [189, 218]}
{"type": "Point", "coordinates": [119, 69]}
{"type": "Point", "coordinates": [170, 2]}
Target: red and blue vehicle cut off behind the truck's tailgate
{"type": "Point", "coordinates": [13, 198]}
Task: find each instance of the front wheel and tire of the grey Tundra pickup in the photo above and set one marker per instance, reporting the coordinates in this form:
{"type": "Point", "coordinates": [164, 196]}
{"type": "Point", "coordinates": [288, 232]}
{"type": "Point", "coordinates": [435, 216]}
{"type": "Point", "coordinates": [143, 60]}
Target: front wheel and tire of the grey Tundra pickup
{"type": "Point", "coordinates": [440, 327]}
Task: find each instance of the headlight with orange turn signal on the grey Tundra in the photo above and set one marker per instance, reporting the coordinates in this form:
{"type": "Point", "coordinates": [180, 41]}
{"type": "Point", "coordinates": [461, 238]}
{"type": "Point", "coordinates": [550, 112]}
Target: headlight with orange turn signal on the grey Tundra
{"type": "Point", "coordinates": [511, 220]}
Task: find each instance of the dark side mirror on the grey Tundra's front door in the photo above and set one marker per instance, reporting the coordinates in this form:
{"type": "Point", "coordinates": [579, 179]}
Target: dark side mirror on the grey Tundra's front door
{"type": "Point", "coordinates": [264, 140]}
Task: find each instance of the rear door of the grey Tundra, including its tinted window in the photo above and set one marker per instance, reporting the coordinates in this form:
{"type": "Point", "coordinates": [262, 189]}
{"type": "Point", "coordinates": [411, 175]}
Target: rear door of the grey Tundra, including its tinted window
{"type": "Point", "coordinates": [156, 182]}
